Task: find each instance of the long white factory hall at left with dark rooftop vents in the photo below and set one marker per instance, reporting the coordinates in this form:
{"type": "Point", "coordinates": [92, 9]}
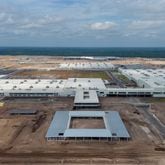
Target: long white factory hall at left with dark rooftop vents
{"type": "Point", "coordinates": [48, 87]}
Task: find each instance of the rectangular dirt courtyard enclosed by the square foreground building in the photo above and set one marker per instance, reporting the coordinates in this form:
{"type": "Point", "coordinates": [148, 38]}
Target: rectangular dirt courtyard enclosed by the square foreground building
{"type": "Point", "coordinates": [90, 123]}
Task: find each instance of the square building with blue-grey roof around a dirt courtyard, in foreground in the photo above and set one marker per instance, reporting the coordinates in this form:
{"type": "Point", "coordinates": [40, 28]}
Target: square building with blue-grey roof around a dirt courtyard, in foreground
{"type": "Point", "coordinates": [61, 126]}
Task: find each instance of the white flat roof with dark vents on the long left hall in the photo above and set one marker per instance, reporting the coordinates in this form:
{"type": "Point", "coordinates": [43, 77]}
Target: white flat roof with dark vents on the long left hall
{"type": "Point", "coordinates": [49, 85]}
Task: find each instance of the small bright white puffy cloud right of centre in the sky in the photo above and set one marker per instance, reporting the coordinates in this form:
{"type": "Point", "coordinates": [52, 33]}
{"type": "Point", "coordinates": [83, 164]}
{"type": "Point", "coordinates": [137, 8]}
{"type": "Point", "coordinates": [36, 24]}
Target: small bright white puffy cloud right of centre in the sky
{"type": "Point", "coordinates": [103, 25]}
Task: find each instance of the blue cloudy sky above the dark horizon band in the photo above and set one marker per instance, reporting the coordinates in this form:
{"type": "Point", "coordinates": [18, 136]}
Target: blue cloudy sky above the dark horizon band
{"type": "Point", "coordinates": [76, 23]}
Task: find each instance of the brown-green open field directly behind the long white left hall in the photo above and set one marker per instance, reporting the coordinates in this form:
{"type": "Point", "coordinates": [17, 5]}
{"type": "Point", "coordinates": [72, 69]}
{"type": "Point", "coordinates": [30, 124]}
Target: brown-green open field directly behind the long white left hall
{"type": "Point", "coordinates": [61, 74]}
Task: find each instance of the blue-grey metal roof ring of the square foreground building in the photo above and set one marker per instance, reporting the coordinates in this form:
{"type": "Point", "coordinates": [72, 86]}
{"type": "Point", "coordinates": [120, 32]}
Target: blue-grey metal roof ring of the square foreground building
{"type": "Point", "coordinates": [114, 126]}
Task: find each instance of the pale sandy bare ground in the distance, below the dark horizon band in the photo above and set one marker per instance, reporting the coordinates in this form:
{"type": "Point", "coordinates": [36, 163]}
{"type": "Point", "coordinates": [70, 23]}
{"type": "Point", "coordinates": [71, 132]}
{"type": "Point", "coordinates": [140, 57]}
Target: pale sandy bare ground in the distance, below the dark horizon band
{"type": "Point", "coordinates": [52, 63]}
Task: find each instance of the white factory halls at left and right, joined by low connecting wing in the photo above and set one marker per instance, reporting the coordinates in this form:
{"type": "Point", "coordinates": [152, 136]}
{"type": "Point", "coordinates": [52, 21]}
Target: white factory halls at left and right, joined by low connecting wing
{"type": "Point", "coordinates": [150, 83]}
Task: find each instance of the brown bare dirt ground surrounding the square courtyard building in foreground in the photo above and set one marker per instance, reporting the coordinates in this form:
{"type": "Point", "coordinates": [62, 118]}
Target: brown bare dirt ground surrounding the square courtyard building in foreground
{"type": "Point", "coordinates": [21, 145]}
